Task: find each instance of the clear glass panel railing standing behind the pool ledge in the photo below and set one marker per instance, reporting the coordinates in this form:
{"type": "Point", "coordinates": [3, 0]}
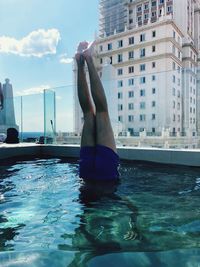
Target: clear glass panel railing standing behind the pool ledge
{"type": "Point", "coordinates": [159, 109]}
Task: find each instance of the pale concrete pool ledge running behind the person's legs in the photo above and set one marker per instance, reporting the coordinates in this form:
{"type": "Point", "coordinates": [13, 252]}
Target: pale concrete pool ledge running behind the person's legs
{"type": "Point", "coordinates": [187, 157]}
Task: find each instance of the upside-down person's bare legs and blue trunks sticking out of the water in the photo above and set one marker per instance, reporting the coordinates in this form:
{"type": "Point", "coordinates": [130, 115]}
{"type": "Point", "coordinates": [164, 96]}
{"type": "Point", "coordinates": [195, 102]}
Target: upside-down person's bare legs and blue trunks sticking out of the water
{"type": "Point", "coordinates": [98, 154]}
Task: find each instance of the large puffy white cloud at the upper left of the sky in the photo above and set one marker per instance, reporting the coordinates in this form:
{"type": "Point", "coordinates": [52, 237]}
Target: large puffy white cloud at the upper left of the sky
{"type": "Point", "coordinates": [37, 43]}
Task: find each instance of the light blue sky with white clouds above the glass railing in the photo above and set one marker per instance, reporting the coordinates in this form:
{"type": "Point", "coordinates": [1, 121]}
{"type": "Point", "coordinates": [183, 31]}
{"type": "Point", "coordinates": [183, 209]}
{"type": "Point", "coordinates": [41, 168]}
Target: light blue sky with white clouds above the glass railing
{"type": "Point", "coordinates": [38, 38]}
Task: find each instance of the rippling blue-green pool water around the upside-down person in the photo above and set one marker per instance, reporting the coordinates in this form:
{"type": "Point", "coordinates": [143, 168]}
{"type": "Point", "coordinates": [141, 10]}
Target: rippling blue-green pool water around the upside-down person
{"type": "Point", "coordinates": [50, 217]}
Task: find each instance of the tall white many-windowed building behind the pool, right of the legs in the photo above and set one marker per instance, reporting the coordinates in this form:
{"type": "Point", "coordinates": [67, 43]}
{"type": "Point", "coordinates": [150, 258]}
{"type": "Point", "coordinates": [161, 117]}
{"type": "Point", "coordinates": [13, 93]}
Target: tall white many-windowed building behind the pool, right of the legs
{"type": "Point", "coordinates": [153, 47]}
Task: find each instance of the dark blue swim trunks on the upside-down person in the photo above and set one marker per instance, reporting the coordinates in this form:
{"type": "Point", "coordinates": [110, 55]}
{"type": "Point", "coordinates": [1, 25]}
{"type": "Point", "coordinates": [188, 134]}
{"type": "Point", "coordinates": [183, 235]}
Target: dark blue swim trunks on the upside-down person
{"type": "Point", "coordinates": [98, 163]}
